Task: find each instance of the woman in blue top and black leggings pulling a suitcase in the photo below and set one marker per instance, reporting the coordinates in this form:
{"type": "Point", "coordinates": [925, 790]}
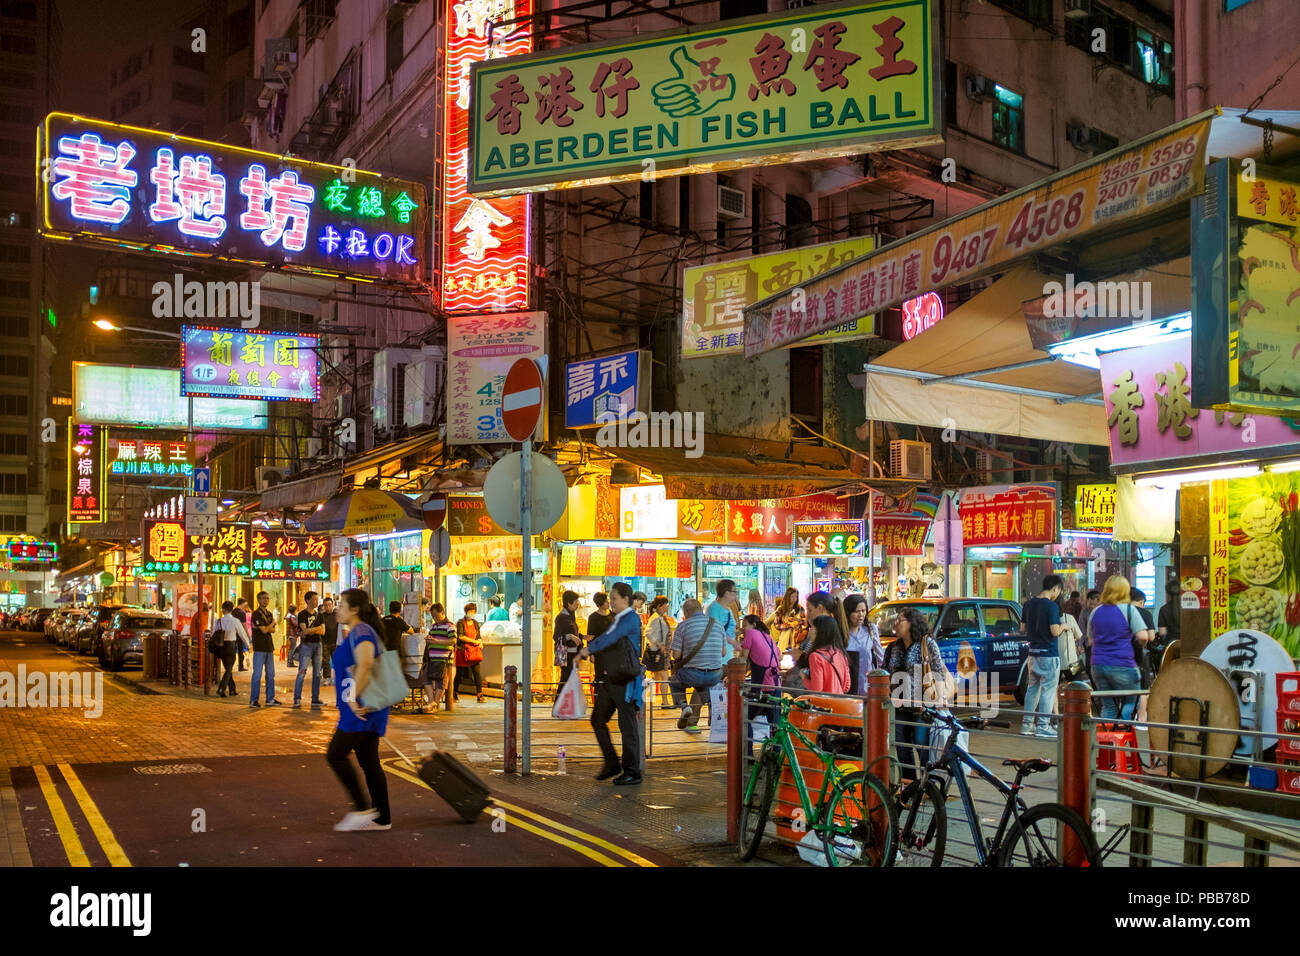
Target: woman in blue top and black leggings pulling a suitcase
{"type": "Point", "coordinates": [359, 728]}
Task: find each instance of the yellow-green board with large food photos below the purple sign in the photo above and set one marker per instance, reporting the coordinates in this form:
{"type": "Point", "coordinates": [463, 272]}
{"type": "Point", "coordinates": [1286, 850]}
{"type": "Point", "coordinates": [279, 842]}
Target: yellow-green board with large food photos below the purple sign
{"type": "Point", "coordinates": [1264, 557]}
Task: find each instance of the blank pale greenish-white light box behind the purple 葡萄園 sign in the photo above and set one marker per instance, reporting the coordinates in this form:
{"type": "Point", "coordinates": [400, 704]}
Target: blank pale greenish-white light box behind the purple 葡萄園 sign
{"type": "Point", "coordinates": [151, 399]}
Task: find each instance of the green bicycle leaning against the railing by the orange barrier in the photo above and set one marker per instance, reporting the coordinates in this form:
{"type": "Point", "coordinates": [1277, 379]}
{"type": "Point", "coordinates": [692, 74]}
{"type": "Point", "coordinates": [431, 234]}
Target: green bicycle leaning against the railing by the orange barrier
{"type": "Point", "coordinates": [853, 815]}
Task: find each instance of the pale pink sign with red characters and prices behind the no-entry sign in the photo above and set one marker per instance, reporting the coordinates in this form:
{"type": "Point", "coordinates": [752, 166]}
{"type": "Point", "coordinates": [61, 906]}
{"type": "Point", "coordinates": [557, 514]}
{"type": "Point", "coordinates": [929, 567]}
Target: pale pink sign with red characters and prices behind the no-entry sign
{"type": "Point", "coordinates": [480, 352]}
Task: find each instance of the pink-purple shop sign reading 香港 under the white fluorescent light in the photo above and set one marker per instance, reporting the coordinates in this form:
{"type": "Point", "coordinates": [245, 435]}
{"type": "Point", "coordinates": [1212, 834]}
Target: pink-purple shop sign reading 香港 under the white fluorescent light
{"type": "Point", "coordinates": [1151, 418]}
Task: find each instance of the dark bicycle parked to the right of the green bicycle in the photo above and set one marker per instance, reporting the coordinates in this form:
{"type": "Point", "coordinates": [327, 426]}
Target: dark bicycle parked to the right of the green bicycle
{"type": "Point", "coordinates": [1026, 836]}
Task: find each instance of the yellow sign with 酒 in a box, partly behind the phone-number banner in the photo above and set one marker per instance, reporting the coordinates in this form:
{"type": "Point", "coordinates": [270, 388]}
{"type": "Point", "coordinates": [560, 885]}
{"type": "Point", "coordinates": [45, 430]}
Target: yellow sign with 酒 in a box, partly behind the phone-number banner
{"type": "Point", "coordinates": [716, 296]}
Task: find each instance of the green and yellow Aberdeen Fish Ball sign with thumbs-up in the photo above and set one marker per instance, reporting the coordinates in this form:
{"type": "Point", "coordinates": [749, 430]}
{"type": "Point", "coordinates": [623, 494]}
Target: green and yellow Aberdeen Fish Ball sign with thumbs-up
{"type": "Point", "coordinates": [821, 81]}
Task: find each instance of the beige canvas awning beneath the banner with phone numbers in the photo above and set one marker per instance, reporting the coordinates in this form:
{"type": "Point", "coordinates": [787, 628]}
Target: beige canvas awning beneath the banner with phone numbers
{"type": "Point", "coordinates": [977, 371]}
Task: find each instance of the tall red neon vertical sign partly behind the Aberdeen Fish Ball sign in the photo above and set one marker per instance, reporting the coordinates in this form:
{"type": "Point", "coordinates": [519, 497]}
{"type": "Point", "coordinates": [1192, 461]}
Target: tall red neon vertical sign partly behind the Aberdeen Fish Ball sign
{"type": "Point", "coordinates": [486, 263]}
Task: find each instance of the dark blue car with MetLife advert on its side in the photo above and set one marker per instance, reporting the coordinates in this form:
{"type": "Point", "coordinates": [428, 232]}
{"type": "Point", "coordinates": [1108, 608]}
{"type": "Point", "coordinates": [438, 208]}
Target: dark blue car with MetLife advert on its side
{"type": "Point", "coordinates": [976, 635]}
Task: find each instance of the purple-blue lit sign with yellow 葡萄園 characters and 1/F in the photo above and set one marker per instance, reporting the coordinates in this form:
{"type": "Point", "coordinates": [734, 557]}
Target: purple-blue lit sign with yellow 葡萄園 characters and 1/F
{"type": "Point", "coordinates": [242, 364]}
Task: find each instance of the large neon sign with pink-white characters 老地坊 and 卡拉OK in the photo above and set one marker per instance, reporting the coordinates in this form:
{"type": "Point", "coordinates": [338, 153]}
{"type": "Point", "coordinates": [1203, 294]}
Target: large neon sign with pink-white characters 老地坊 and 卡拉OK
{"type": "Point", "coordinates": [171, 194]}
